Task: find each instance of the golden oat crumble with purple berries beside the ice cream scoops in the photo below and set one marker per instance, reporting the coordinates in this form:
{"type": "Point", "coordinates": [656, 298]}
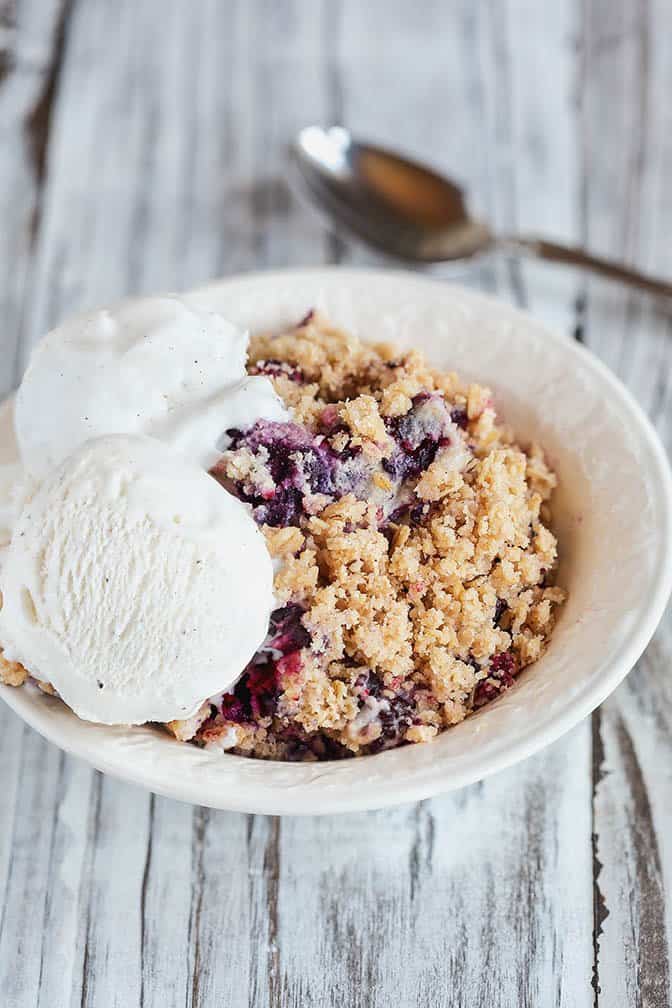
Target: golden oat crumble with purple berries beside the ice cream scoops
{"type": "Point", "coordinates": [415, 562]}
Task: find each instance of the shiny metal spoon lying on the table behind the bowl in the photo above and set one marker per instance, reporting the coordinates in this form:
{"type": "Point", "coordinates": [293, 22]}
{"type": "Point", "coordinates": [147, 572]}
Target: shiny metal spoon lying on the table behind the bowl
{"type": "Point", "coordinates": [409, 211]}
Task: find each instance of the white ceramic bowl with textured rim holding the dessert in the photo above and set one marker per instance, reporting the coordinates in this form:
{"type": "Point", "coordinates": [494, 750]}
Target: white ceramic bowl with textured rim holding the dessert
{"type": "Point", "coordinates": [613, 516]}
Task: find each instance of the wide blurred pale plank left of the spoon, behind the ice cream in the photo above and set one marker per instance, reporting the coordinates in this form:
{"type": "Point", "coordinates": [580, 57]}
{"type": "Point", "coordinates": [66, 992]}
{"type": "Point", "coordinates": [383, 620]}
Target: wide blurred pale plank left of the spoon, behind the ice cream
{"type": "Point", "coordinates": [168, 167]}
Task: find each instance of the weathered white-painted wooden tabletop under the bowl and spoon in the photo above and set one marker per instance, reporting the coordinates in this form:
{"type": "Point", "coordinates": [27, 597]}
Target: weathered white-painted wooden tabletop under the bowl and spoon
{"type": "Point", "coordinates": [144, 149]}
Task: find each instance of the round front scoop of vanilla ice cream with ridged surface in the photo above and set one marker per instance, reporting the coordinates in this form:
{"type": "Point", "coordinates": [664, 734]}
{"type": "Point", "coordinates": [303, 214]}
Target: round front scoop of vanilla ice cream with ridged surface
{"type": "Point", "coordinates": [135, 584]}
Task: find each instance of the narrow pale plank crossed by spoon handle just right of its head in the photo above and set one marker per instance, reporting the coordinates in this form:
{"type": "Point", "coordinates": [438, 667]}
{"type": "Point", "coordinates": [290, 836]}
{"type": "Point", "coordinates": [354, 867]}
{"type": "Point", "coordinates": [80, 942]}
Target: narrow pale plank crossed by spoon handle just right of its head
{"type": "Point", "coordinates": [532, 129]}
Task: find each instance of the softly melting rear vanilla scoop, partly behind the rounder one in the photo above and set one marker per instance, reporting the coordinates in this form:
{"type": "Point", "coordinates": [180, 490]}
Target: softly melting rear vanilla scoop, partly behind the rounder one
{"type": "Point", "coordinates": [156, 366]}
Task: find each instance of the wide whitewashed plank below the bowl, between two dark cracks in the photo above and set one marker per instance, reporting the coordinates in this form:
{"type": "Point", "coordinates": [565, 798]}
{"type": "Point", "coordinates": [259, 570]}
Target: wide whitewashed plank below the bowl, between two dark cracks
{"type": "Point", "coordinates": [463, 901]}
